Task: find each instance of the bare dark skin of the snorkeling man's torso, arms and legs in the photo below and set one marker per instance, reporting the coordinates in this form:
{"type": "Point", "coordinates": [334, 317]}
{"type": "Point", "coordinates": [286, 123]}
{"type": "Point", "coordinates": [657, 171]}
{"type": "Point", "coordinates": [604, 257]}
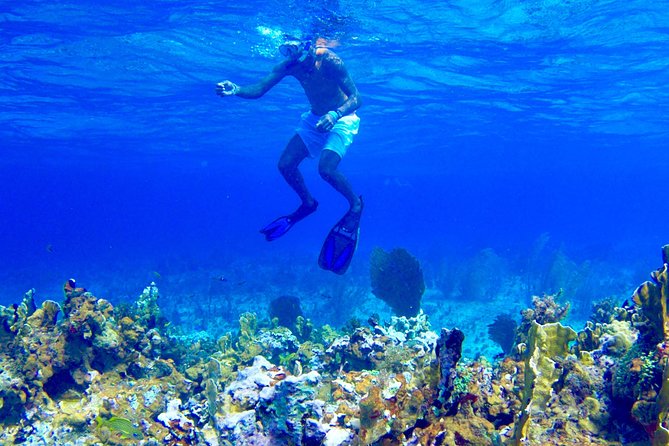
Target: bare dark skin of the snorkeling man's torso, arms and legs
{"type": "Point", "coordinates": [328, 87]}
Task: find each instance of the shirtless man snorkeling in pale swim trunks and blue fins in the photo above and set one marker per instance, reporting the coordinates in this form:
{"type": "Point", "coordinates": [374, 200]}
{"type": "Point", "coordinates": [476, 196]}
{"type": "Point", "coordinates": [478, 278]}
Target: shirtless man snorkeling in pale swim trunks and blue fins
{"type": "Point", "coordinates": [325, 131]}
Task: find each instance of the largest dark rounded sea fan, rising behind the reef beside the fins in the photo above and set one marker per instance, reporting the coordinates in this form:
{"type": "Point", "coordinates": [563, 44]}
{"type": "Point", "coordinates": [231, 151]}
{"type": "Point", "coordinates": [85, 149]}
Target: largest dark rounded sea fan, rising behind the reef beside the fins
{"type": "Point", "coordinates": [397, 279]}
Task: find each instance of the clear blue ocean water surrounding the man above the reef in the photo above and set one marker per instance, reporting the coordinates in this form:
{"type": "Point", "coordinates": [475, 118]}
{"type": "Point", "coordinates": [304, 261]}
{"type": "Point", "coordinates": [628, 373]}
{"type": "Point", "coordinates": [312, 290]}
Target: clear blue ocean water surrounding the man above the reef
{"type": "Point", "coordinates": [510, 138]}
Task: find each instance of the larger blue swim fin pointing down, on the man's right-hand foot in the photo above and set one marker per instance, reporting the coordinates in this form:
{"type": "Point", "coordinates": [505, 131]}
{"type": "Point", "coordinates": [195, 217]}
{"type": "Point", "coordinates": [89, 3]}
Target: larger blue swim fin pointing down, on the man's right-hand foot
{"type": "Point", "coordinates": [341, 243]}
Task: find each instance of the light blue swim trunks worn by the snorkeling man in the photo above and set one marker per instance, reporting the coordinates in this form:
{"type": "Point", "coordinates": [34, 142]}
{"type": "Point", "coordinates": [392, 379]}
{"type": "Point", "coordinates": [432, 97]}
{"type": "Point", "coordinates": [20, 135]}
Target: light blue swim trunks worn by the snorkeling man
{"type": "Point", "coordinates": [338, 139]}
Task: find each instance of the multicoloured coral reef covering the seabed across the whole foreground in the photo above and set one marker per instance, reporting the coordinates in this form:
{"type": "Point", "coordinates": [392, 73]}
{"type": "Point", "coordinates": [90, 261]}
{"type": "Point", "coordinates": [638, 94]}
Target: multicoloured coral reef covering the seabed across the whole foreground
{"type": "Point", "coordinates": [93, 373]}
